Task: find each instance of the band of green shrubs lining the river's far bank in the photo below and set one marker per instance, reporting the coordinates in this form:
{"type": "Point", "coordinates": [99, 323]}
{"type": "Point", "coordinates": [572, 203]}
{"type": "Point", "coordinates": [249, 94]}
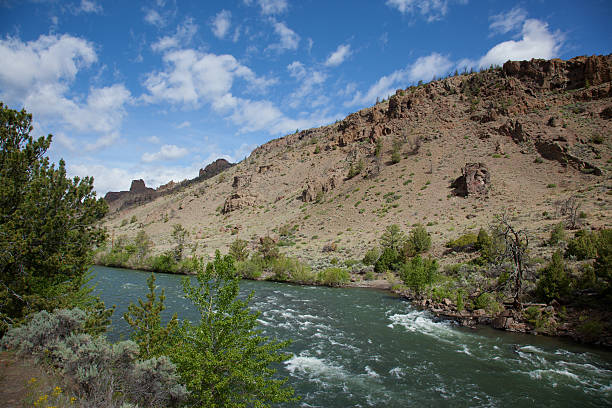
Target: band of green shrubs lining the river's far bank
{"type": "Point", "coordinates": [501, 285]}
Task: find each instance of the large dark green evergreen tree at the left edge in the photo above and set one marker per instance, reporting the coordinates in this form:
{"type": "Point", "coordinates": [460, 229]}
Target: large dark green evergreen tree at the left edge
{"type": "Point", "coordinates": [49, 225]}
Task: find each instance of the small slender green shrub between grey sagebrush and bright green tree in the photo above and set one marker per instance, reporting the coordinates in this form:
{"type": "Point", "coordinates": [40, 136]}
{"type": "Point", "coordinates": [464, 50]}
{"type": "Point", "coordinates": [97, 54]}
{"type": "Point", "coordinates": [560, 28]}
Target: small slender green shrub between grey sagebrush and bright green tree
{"type": "Point", "coordinates": [145, 319]}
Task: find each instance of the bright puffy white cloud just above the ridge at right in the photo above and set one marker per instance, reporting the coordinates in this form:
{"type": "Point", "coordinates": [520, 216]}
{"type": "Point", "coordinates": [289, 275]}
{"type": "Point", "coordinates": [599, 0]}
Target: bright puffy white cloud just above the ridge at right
{"type": "Point", "coordinates": [536, 42]}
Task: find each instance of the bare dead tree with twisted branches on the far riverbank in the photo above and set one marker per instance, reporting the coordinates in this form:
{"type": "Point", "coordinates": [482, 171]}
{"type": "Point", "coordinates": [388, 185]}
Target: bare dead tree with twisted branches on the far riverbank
{"type": "Point", "coordinates": [516, 243]}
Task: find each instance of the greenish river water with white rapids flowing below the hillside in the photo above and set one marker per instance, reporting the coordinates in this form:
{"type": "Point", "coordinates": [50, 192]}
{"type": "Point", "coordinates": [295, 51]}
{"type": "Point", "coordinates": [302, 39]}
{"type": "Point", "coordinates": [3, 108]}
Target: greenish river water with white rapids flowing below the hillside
{"type": "Point", "coordinates": [366, 348]}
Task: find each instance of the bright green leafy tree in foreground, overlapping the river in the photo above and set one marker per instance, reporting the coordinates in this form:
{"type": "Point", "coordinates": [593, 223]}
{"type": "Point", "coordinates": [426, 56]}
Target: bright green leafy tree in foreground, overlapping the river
{"type": "Point", "coordinates": [222, 359]}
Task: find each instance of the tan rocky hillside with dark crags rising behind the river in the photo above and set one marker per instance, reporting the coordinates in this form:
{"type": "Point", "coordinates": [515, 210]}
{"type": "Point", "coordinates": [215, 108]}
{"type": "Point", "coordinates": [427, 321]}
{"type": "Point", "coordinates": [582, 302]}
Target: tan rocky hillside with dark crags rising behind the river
{"type": "Point", "coordinates": [450, 154]}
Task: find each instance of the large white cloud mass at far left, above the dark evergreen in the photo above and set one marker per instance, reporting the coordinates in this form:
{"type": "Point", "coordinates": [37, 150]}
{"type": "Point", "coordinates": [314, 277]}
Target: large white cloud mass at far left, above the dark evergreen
{"type": "Point", "coordinates": [40, 77]}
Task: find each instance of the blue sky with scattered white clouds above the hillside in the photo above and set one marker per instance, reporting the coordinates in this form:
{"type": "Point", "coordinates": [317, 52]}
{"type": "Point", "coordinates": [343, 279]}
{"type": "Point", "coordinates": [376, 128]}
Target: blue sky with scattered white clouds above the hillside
{"type": "Point", "coordinates": [156, 90]}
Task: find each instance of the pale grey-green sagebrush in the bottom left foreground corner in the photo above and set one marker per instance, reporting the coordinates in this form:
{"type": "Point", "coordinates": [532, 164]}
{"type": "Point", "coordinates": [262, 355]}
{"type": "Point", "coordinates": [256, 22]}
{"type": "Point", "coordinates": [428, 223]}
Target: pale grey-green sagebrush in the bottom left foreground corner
{"type": "Point", "coordinates": [101, 374]}
